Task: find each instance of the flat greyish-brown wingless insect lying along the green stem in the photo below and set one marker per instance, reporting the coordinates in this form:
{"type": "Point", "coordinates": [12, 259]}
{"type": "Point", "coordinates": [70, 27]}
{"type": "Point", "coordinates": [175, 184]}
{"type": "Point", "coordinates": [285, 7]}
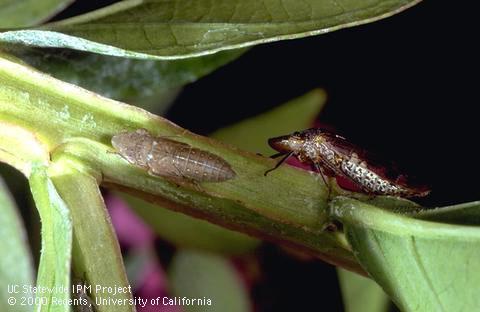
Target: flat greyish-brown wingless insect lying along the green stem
{"type": "Point", "coordinates": [171, 159]}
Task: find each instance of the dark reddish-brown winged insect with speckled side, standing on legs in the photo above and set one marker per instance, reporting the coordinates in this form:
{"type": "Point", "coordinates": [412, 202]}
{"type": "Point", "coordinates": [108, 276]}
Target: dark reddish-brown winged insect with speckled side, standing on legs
{"type": "Point", "coordinates": [333, 155]}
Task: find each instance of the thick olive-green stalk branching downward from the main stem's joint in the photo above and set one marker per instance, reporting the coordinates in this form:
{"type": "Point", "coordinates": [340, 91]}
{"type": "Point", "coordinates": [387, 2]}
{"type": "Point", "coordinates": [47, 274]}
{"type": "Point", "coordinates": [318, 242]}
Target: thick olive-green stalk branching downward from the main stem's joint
{"type": "Point", "coordinates": [96, 253]}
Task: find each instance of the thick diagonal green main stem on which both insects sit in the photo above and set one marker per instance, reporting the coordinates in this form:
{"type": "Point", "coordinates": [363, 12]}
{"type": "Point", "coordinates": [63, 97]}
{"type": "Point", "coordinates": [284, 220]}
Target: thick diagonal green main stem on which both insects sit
{"type": "Point", "coordinates": [287, 206]}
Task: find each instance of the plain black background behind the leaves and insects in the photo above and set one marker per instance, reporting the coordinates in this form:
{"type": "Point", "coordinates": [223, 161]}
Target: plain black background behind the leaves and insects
{"type": "Point", "coordinates": [405, 86]}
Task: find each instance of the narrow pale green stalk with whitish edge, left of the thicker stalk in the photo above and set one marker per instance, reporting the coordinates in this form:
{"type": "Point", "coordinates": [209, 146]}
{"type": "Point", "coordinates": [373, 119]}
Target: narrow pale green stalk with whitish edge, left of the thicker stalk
{"type": "Point", "coordinates": [54, 267]}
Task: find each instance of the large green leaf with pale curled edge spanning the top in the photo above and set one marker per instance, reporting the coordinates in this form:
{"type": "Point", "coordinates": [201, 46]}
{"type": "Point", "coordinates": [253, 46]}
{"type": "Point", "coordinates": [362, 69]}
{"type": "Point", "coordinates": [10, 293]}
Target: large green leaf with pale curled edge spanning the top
{"type": "Point", "coordinates": [178, 29]}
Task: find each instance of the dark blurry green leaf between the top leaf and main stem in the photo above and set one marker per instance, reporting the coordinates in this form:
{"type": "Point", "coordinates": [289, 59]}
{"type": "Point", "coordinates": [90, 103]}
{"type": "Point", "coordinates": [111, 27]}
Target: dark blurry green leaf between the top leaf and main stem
{"type": "Point", "coordinates": [133, 81]}
